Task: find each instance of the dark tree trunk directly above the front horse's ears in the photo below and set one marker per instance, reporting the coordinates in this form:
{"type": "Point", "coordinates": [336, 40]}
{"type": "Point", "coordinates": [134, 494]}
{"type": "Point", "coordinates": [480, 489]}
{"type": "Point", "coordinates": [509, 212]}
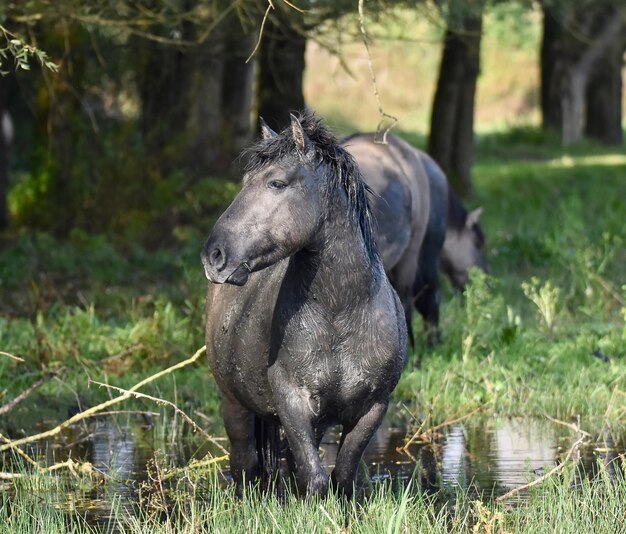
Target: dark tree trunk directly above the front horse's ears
{"type": "Point", "coordinates": [281, 68]}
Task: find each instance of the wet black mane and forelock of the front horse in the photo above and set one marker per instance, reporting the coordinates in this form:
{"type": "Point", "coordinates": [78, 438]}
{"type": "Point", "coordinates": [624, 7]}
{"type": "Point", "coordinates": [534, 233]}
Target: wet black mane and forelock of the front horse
{"type": "Point", "coordinates": [341, 168]}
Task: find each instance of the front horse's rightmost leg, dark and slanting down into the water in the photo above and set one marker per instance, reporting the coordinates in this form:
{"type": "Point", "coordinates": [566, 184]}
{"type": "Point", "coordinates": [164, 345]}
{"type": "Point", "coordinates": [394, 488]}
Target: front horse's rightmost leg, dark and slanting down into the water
{"type": "Point", "coordinates": [354, 439]}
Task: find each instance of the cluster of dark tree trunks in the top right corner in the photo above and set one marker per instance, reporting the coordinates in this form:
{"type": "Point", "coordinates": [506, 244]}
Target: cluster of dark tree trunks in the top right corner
{"type": "Point", "coordinates": [581, 62]}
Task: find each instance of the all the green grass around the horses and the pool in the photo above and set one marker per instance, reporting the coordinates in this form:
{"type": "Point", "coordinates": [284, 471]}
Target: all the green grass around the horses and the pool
{"type": "Point", "coordinates": [519, 342]}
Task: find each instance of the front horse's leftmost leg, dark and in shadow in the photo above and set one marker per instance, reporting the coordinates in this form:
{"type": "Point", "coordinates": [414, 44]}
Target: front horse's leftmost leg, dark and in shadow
{"type": "Point", "coordinates": [244, 461]}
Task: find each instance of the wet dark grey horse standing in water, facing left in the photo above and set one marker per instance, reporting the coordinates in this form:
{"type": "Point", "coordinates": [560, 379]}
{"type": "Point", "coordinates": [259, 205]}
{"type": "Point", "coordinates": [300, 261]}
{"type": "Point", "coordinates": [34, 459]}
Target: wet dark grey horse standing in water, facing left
{"type": "Point", "coordinates": [304, 329]}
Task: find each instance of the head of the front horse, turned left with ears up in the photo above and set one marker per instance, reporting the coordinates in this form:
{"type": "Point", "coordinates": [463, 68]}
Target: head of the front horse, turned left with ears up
{"type": "Point", "coordinates": [277, 212]}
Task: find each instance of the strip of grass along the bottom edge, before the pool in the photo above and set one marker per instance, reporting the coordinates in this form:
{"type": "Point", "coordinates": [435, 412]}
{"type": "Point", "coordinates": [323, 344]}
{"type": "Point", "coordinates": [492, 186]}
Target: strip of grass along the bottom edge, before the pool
{"type": "Point", "coordinates": [200, 504]}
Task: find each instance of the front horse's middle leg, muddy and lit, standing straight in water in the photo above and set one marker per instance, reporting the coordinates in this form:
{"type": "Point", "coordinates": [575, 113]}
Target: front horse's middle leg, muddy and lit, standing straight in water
{"type": "Point", "coordinates": [297, 419]}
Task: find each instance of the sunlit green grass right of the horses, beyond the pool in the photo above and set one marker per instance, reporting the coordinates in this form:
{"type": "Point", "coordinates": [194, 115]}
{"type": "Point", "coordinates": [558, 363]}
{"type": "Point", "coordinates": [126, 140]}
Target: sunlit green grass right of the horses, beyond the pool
{"type": "Point", "coordinates": [523, 341]}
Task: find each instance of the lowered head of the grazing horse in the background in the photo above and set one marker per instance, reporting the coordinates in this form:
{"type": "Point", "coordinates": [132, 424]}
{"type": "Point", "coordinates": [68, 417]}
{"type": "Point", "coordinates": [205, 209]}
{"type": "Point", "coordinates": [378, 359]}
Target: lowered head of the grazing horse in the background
{"type": "Point", "coordinates": [463, 249]}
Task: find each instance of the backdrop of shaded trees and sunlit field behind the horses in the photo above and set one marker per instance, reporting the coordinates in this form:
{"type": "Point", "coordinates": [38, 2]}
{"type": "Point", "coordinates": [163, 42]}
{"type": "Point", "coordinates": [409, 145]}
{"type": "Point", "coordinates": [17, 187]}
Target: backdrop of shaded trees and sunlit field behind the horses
{"type": "Point", "coordinates": [153, 100]}
